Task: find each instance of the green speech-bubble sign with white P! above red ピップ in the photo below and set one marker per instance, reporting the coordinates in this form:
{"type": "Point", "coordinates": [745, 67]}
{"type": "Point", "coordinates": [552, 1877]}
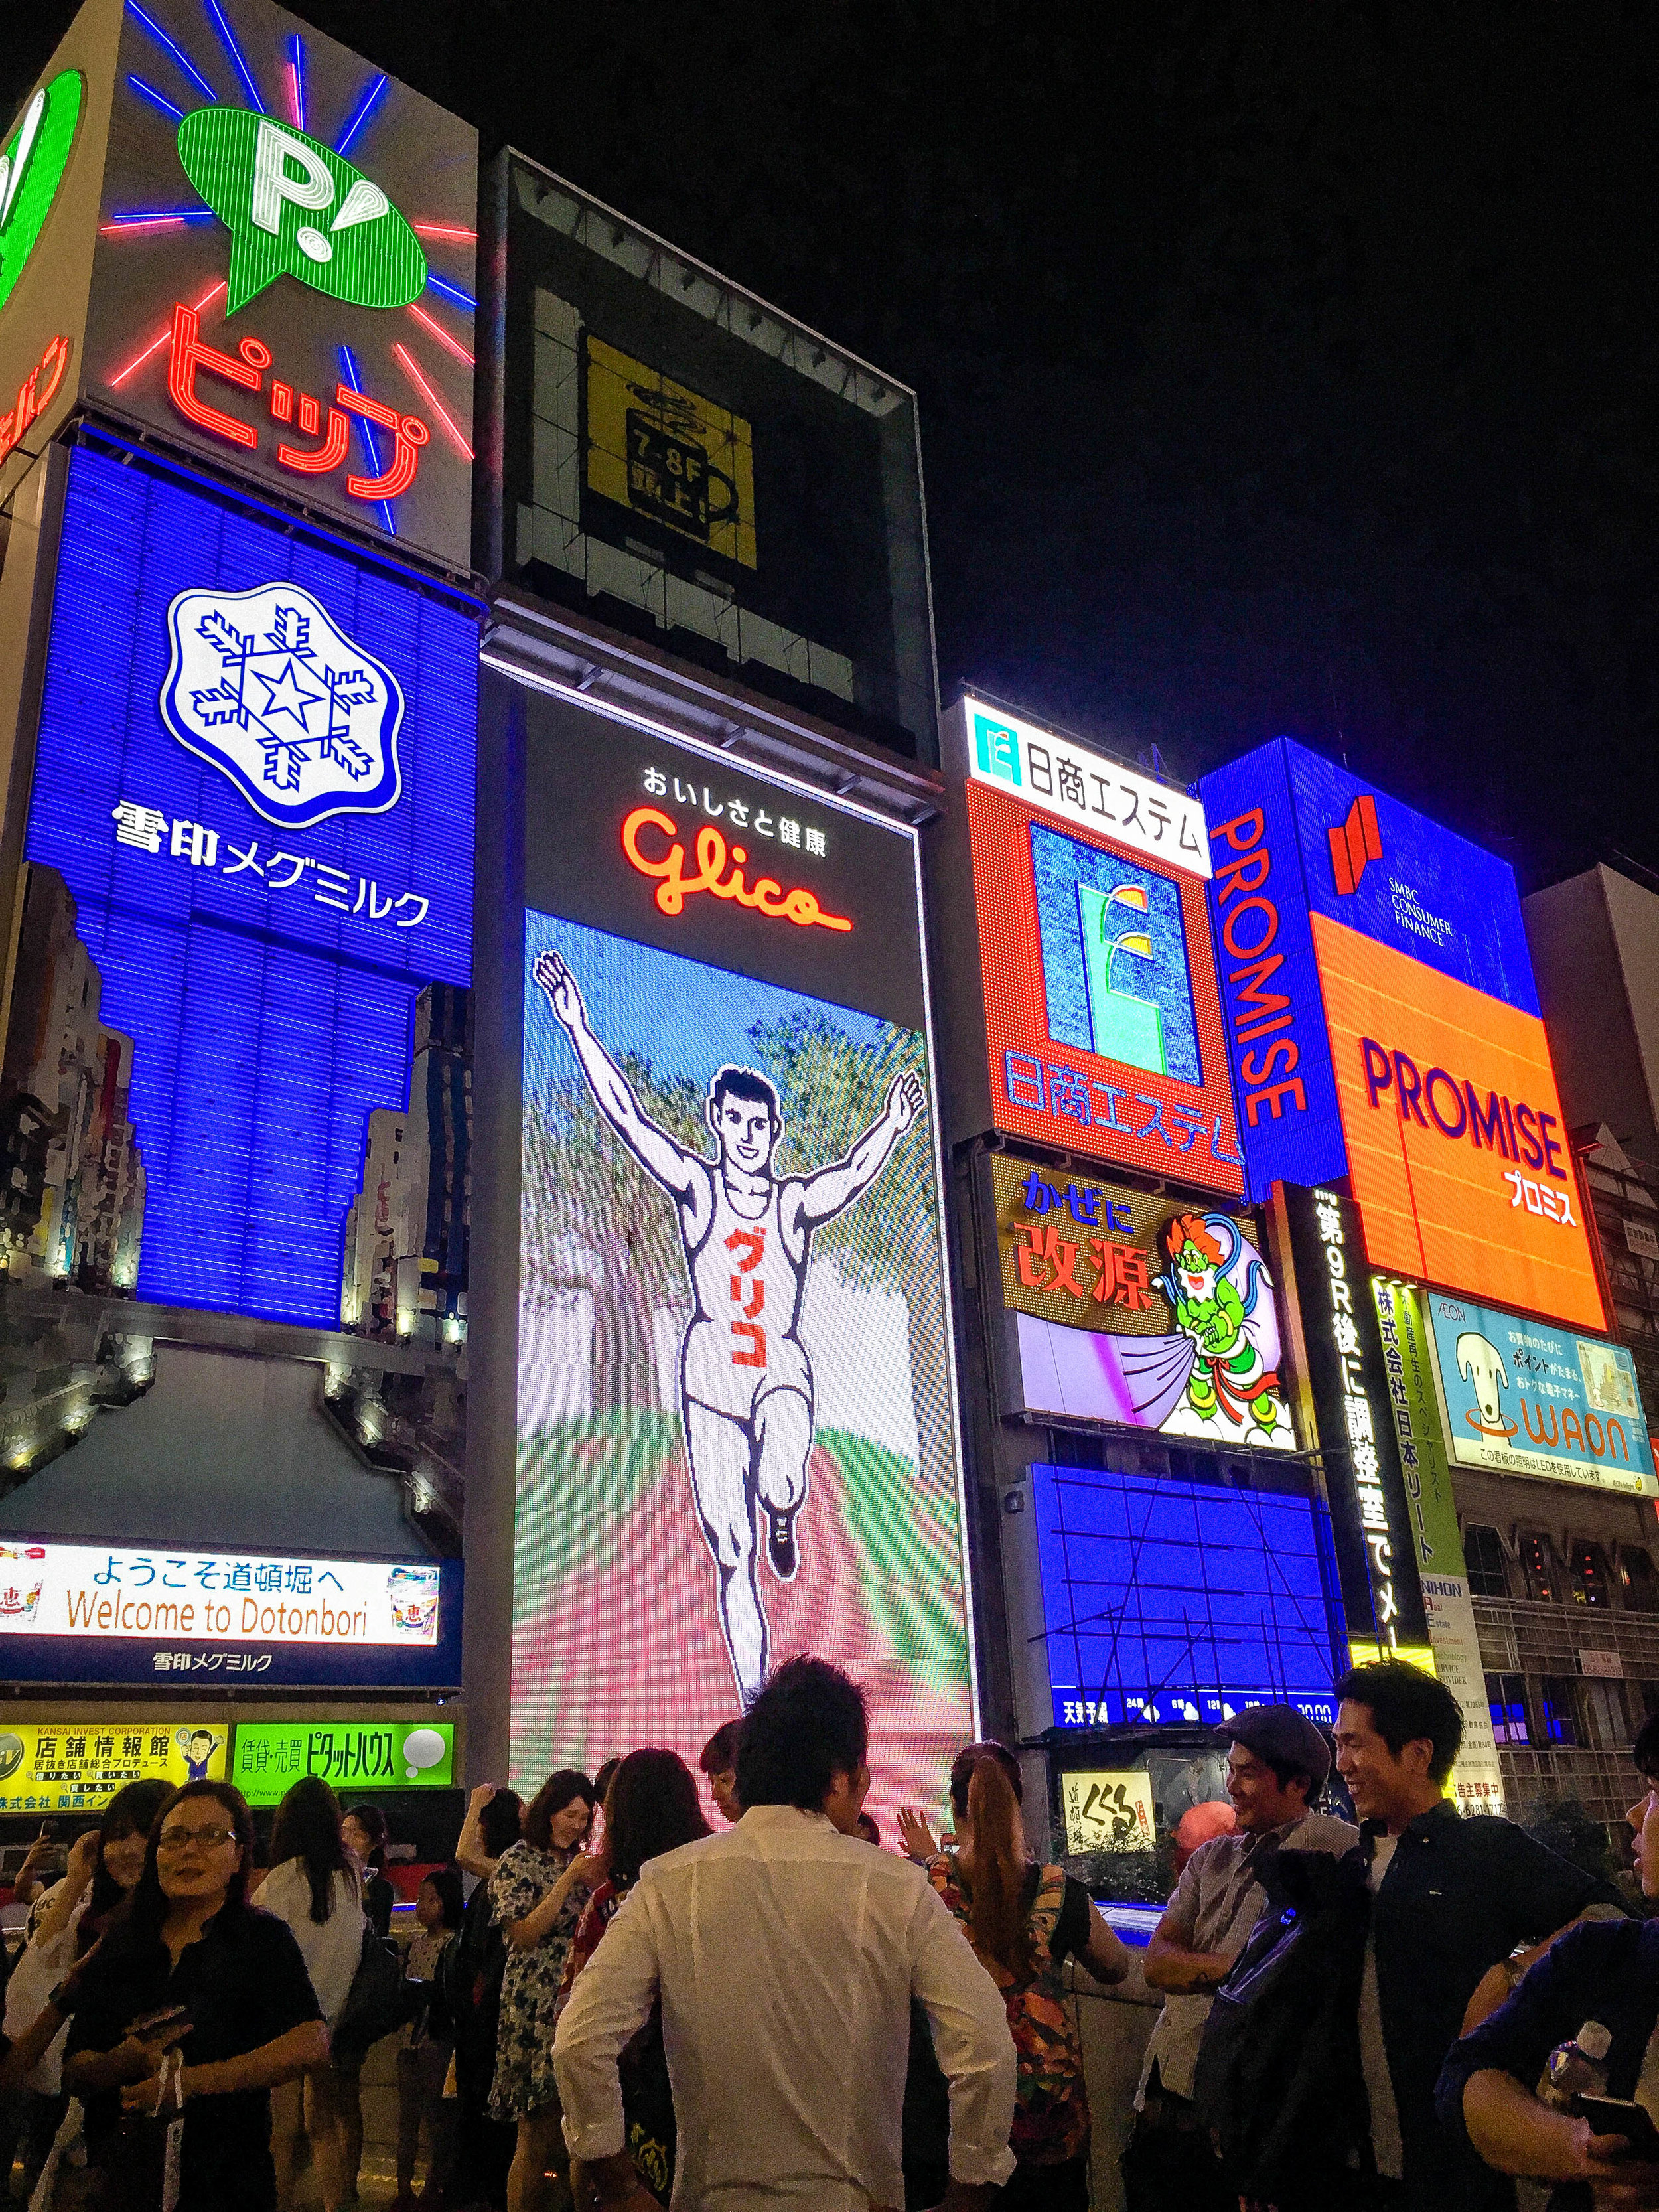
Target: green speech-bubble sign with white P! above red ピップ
{"type": "Point", "coordinates": [293, 209]}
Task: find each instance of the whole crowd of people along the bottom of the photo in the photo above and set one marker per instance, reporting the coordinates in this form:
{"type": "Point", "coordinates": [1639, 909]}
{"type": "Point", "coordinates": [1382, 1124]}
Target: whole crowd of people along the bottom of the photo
{"type": "Point", "coordinates": [1392, 2014]}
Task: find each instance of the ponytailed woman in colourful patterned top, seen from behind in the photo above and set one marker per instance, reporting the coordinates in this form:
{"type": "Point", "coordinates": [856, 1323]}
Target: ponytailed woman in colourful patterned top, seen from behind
{"type": "Point", "coordinates": [1025, 1921]}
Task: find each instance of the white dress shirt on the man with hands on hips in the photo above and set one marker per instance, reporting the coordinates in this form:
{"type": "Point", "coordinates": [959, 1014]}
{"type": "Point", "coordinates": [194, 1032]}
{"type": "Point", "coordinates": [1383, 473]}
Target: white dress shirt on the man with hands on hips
{"type": "Point", "coordinates": [786, 1959]}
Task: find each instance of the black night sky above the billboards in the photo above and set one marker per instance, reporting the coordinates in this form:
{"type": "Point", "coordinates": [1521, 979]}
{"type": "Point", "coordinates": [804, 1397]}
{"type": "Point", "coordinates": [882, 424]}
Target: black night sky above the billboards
{"type": "Point", "coordinates": [1282, 366]}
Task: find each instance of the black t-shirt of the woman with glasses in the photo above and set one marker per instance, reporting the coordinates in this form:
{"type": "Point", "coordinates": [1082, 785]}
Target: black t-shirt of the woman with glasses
{"type": "Point", "coordinates": [247, 1985]}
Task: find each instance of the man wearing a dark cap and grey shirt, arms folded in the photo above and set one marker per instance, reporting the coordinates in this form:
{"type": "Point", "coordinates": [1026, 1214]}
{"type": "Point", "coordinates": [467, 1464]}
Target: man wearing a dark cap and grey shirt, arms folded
{"type": "Point", "coordinates": [1277, 1766]}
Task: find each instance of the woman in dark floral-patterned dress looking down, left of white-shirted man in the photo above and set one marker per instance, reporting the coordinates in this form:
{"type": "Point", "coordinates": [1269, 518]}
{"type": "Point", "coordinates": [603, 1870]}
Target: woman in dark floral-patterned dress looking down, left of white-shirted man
{"type": "Point", "coordinates": [536, 1895]}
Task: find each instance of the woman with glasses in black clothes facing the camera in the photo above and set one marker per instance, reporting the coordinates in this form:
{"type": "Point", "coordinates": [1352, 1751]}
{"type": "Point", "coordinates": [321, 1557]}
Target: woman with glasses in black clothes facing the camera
{"type": "Point", "coordinates": [194, 2010]}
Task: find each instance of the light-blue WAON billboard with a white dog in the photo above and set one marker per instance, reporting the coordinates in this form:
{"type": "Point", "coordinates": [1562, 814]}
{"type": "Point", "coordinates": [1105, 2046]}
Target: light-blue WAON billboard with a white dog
{"type": "Point", "coordinates": [1532, 1399]}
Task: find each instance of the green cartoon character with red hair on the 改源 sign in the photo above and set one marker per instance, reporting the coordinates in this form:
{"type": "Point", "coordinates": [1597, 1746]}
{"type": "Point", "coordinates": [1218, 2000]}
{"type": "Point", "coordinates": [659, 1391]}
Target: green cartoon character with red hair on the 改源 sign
{"type": "Point", "coordinates": [1235, 1333]}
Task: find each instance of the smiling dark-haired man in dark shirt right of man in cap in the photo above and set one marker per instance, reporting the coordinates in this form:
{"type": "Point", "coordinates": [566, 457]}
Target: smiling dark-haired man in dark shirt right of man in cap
{"type": "Point", "coordinates": [1452, 1901]}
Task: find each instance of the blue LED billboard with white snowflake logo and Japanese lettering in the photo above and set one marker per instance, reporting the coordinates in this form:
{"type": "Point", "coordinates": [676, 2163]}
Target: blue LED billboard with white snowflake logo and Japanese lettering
{"type": "Point", "coordinates": [253, 837]}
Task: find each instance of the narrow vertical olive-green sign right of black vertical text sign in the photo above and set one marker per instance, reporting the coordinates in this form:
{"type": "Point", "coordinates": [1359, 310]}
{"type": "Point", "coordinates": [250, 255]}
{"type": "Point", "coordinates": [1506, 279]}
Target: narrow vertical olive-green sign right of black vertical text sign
{"type": "Point", "coordinates": [1477, 1780]}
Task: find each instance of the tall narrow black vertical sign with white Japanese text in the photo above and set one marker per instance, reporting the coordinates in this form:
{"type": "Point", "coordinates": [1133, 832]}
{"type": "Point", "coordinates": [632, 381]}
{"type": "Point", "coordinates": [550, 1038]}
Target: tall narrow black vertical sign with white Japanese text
{"type": "Point", "coordinates": [1357, 1430]}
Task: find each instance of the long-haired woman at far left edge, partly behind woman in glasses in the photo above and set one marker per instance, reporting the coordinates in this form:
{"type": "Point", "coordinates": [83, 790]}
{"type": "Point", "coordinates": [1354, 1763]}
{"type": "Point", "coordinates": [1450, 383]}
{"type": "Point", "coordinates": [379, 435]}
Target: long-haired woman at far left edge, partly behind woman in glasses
{"type": "Point", "coordinates": [65, 1923]}
